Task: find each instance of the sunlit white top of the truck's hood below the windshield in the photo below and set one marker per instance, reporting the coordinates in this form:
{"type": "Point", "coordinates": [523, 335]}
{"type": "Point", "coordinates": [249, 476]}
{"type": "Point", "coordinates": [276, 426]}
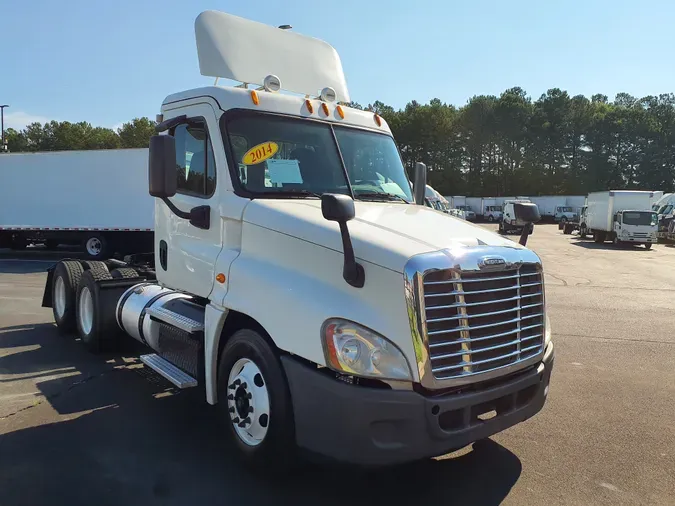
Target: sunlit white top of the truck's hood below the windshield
{"type": "Point", "coordinates": [383, 233]}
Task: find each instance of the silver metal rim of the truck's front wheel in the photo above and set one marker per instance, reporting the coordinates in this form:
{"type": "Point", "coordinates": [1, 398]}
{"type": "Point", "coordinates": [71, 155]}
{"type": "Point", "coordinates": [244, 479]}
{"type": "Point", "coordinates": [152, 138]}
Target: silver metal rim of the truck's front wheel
{"type": "Point", "coordinates": [248, 402]}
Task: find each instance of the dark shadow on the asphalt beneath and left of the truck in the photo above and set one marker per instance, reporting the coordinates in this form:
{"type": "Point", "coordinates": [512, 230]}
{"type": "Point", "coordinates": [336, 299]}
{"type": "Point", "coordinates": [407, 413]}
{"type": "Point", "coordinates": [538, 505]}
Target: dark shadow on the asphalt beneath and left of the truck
{"type": "Point", "coordinates": [118, 439]}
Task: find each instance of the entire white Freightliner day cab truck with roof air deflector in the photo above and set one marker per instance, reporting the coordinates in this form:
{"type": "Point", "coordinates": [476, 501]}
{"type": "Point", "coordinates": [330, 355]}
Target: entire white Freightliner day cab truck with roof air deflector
{"type": "Point", "coordinates": [297, 280]}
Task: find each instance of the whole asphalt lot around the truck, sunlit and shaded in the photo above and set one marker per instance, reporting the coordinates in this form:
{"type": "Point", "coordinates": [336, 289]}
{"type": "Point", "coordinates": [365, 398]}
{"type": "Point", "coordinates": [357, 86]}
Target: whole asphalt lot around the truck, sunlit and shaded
{"type": "Point", "coordinates": [82, 429]}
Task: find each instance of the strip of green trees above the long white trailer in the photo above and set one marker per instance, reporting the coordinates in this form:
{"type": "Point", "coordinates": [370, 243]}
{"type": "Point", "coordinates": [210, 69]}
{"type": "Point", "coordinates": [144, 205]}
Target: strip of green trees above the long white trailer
{"type": "Point", "coordinates": [66, 136]}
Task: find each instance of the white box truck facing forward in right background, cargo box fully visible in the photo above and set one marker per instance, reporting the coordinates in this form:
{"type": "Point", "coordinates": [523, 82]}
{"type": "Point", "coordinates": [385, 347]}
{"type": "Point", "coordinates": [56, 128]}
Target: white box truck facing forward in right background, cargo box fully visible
{"type": "Point", "coordinates": [622, 216]}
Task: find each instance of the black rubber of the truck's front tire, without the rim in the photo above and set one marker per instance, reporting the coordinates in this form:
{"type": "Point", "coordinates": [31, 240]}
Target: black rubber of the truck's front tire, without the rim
{"type": "Point", "coordinates": [278, 446]}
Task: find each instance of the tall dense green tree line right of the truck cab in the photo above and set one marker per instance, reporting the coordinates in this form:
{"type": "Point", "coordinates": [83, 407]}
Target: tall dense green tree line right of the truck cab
{"type": "Point", "coordinates": [558, 144]}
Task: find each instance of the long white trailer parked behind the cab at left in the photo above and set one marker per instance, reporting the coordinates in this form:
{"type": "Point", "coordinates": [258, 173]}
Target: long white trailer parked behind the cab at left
{"type": "Point", "coordinates": [96, 199]}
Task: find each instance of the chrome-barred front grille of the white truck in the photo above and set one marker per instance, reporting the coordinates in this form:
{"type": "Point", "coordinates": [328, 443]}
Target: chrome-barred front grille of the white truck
{"type": "Point", "coordinates": [482, 321]}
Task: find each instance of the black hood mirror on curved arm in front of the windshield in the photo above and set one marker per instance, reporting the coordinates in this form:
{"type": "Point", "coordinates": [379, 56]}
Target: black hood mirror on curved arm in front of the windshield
{"type": "Point", "coordinates": [340, 208]}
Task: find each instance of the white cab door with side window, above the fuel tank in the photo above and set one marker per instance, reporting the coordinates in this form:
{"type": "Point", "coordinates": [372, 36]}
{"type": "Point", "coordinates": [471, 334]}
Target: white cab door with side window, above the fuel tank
{"type": "Point", "coordinates": [185, 252]}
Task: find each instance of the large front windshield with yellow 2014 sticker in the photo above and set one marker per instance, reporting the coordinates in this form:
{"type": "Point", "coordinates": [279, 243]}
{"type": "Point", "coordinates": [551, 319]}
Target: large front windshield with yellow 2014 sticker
{"type": "Point", "coordinates": [279, 156]}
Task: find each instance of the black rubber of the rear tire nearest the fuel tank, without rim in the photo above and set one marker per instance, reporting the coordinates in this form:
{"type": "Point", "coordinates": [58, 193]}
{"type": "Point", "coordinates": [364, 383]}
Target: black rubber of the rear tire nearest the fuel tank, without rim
{"type": "Point", "coordinates": [103, 332]}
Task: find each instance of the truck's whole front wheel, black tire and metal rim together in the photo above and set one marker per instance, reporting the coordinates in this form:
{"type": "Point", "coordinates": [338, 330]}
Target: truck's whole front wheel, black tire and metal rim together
{"type": "Point", "coordinates": [255, 402]}
